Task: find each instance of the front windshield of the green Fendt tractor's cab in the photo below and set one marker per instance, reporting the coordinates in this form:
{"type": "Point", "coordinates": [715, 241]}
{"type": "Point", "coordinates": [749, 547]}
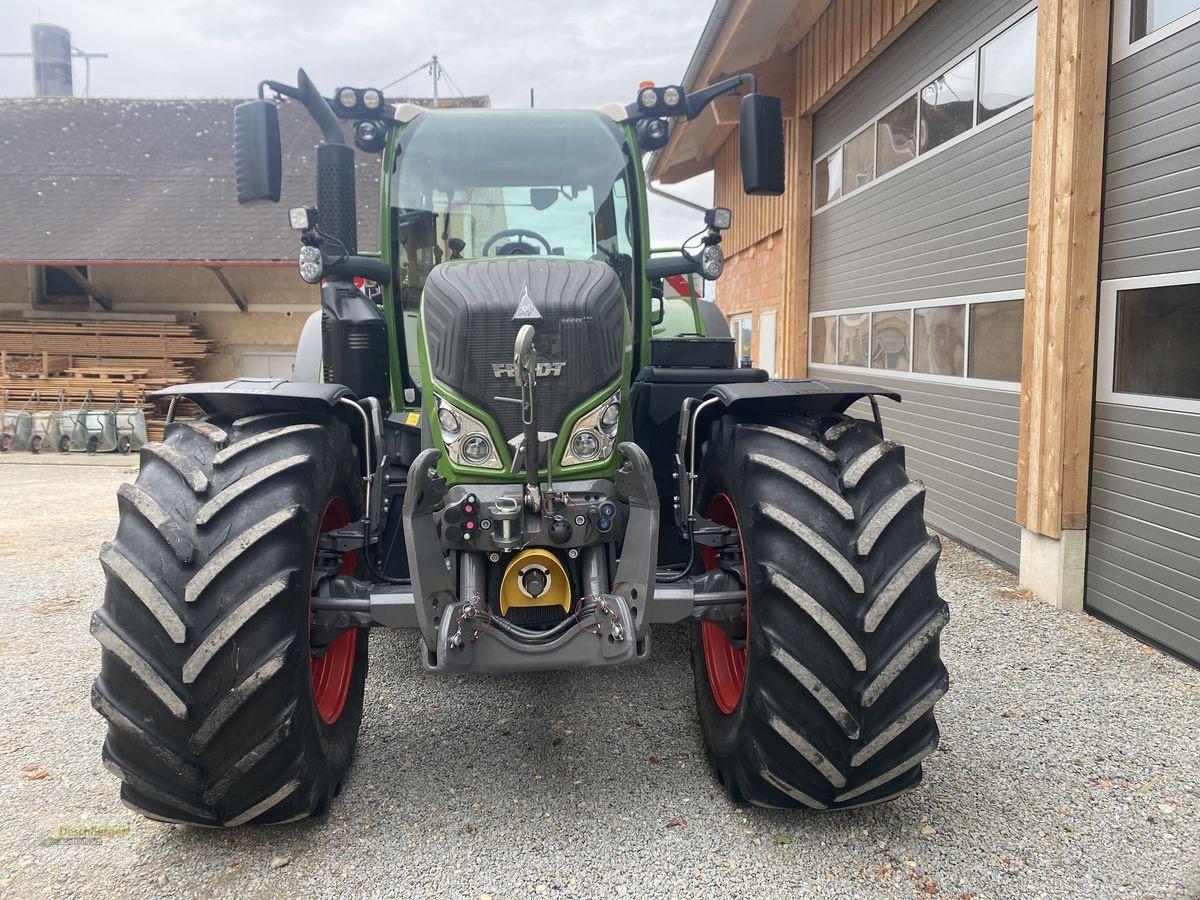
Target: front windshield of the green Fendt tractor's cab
{"type": "Point", "coordinates": [475, 184]}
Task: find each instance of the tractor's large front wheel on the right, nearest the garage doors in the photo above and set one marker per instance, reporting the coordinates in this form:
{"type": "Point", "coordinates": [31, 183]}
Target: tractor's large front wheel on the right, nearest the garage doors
{"type": "Point", "coordinates": [826, 700]}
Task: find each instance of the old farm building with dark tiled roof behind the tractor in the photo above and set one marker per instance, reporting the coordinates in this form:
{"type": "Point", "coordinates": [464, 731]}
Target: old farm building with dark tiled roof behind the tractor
{"type": "Point", "coordinates": [127, 208]}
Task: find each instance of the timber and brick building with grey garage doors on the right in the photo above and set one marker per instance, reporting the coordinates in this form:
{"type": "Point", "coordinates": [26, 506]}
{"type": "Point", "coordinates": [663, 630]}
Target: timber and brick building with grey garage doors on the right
{"type": "Point", "coordinates": [993, 208]}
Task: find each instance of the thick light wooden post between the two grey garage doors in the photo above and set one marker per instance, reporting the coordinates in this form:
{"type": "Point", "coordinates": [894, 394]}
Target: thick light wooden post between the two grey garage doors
{"type": "Point", "coordinates": [1061, 285]}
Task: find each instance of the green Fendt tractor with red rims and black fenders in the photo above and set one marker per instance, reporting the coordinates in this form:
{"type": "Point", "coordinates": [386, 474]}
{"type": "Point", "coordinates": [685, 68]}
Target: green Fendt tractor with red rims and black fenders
{"type": "Point", "coordinates": [505, 451]}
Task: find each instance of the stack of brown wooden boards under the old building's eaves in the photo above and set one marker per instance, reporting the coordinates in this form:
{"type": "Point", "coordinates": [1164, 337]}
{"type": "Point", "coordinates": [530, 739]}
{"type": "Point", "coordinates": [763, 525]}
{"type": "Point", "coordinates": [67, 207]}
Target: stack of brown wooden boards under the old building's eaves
{"type": "Point", "coordinates": [107, 358]}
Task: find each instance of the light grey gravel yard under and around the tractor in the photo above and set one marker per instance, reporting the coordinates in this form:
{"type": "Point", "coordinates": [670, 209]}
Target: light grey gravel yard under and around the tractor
{"type": "Point", "coordinates": [1069, 766]}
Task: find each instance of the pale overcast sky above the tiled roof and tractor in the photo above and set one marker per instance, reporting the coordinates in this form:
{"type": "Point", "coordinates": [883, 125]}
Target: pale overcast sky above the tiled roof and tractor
{"type": "Point", "coordinates": [572, 53]}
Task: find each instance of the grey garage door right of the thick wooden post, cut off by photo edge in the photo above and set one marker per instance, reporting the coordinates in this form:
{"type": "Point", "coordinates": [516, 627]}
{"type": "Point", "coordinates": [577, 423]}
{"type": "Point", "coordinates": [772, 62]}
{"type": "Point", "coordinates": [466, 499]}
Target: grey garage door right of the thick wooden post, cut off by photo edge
{"type": "Point", "coordinates": [1144, 536]}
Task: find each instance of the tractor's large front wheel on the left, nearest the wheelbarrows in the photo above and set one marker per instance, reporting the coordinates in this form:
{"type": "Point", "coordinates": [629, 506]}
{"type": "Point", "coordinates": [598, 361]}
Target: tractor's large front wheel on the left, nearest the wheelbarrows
{"type": "Point", "coordinates": [219, 712]}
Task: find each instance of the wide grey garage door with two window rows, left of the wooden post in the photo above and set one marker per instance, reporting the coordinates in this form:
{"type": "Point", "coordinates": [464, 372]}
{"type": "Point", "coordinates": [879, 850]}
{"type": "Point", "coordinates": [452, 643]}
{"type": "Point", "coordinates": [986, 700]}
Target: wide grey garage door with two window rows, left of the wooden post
{"type": "Point", "coordinates": [919, 244]}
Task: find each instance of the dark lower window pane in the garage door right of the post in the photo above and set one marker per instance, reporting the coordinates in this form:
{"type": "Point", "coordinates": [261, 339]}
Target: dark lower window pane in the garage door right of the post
{"type": "Point", "coordinates": [1159, 333]}
